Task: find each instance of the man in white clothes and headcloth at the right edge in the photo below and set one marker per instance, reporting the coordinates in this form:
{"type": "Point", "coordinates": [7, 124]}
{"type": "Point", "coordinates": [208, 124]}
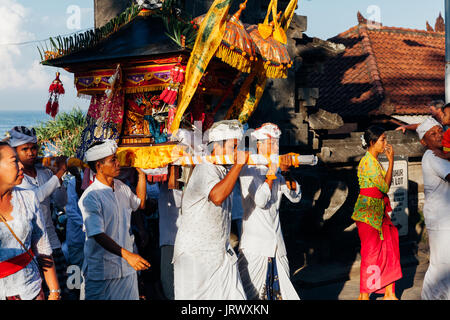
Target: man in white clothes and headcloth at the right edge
{"type": "Point", "coordinates": [436, 178]}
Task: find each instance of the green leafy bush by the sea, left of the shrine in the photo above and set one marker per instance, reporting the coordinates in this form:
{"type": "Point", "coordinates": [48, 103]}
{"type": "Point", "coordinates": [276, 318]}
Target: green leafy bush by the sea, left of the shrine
{"type": "Point", "coordinates": [62, 136]}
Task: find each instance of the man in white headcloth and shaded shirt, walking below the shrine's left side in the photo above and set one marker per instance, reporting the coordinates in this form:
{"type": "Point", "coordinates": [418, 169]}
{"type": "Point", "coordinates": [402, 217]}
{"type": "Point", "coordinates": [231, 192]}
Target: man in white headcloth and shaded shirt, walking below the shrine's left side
{"type": "Point", "coordinates": [106, 205]}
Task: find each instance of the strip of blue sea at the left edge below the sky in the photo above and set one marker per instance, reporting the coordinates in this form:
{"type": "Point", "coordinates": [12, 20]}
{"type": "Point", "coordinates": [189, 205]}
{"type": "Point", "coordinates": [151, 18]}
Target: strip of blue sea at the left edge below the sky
{"type": "Point", "coordinates": [27, 118]}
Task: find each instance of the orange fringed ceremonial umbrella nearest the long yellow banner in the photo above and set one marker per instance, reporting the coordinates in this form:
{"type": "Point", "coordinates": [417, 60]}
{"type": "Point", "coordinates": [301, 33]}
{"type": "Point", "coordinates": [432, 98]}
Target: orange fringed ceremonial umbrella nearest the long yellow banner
{"type": "Point", "coordinates": [237, 47]}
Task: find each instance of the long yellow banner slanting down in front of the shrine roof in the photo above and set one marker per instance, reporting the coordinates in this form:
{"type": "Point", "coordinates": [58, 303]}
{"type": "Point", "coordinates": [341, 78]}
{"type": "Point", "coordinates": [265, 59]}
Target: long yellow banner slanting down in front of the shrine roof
{"type": "Point", "coordinates": [208, 39]}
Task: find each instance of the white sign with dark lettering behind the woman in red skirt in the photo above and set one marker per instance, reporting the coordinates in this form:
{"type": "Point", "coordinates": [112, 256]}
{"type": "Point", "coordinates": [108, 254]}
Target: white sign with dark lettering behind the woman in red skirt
{"type": "Point", "coordinates": [398, 194]}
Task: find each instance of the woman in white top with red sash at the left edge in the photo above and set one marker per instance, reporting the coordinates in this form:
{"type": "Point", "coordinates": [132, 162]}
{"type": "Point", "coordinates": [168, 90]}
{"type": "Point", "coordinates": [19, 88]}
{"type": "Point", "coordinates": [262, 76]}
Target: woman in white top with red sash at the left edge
{"type": "Point", "coordinates": [22, 237]}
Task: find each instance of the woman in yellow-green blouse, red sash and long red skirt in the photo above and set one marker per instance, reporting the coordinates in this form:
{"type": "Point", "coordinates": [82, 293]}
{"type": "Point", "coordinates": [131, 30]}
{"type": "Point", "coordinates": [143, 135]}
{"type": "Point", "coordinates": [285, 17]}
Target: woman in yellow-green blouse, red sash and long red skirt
{"type": "Point", "coordinates": [380, 254]}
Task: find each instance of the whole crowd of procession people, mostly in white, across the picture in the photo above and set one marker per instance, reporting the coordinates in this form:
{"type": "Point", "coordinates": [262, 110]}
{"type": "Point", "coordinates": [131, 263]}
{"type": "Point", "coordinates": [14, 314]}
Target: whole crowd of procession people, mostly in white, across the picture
{"type": "Point", "coordinates": [218, 234]}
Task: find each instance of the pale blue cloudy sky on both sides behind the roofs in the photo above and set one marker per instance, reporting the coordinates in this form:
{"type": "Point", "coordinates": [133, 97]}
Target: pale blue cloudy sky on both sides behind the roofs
{"type": "Point", "coordinates": [24, 82]}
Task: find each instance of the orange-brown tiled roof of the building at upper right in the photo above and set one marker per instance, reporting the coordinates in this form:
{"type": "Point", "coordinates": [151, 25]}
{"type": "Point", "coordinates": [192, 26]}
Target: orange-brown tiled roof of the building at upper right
{"type": "Point", "coordinates": [383, 71]}
